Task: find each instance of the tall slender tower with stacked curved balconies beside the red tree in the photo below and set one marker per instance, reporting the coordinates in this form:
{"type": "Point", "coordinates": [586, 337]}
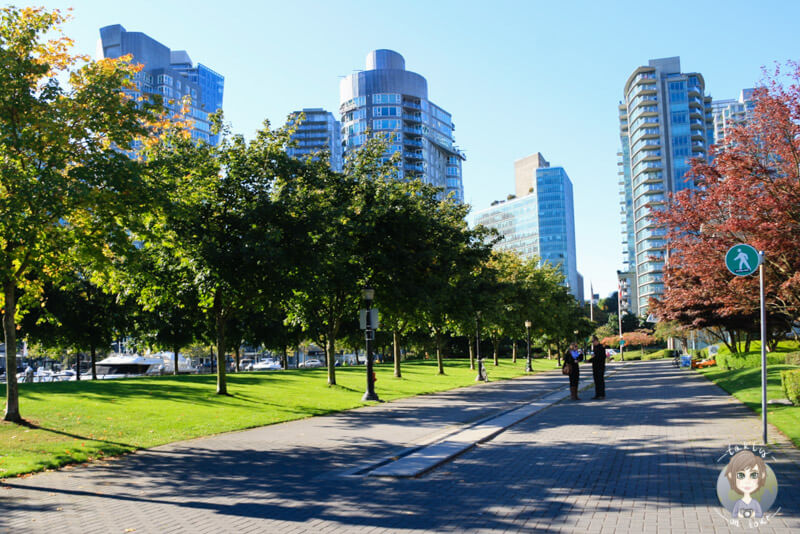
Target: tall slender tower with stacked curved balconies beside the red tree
{"type": "Point", "coordinates": [665, 120]}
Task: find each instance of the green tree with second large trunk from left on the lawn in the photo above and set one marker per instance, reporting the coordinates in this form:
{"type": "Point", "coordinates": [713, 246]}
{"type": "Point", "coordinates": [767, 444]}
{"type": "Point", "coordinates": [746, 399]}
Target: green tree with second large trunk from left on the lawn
{"type": "Point", "coordinates": [223, 226]}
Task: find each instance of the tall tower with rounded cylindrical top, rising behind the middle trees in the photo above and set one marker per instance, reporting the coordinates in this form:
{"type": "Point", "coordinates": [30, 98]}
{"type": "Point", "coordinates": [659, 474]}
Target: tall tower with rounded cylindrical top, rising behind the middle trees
{"type": "Point", "coordinates": [387, 100]}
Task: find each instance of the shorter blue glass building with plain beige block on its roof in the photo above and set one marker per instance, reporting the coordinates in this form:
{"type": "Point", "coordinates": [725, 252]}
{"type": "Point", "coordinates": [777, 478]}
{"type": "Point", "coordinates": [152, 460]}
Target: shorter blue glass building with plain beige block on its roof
{"type": "Point", "coordinates": [540, 224]}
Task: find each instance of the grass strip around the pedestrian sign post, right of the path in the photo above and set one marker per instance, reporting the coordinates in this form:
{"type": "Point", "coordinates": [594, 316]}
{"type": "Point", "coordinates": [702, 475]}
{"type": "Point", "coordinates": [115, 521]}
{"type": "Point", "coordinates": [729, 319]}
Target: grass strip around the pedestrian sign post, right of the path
{"type": "Point", "coordinates": [745, 385]}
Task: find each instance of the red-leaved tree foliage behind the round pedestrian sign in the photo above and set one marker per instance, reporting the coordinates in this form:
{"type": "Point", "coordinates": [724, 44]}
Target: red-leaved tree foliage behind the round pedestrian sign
{"type": "Point", "coordinates": [749, 193]}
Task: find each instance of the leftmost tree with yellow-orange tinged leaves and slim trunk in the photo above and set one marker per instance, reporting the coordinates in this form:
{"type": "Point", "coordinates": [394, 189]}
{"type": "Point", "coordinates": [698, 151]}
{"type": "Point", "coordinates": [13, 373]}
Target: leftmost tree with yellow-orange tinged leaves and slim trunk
{"type": "Point", "coordinates": [62, 181]}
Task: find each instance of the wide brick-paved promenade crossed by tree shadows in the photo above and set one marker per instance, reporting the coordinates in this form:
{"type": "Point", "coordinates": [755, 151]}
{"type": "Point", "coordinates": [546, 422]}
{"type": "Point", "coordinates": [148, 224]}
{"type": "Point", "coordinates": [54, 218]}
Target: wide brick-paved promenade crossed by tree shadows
{"type": "Point", "coordinates": [643, 460]}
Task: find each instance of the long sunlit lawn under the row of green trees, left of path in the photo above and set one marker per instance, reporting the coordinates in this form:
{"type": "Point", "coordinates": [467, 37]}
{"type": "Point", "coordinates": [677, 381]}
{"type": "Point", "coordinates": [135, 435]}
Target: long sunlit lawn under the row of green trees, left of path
{"type": "Point", "coordinates": [81, 421]}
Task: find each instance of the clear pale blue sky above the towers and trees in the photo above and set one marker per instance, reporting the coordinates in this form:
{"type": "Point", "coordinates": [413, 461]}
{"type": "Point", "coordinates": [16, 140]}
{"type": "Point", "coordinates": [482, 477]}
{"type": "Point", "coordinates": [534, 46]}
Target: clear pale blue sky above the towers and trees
{"type": "Point", "coordinates": [519, 76]}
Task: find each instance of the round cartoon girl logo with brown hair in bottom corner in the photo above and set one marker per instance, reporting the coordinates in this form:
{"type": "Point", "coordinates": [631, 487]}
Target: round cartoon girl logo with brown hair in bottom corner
{"type": "Point", "coordinates": [747, 487]}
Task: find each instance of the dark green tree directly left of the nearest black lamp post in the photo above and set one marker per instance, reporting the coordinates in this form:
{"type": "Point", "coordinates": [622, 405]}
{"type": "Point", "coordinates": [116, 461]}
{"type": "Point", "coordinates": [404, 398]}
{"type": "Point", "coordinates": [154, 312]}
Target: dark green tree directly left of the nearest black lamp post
{"type": "Point", "coordinates": [339, 213]}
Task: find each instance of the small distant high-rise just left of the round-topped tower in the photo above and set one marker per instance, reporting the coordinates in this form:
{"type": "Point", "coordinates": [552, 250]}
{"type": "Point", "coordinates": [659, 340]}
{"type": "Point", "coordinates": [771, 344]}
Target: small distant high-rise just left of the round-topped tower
{"type": "Point", "coordinates": [319, 131]}
